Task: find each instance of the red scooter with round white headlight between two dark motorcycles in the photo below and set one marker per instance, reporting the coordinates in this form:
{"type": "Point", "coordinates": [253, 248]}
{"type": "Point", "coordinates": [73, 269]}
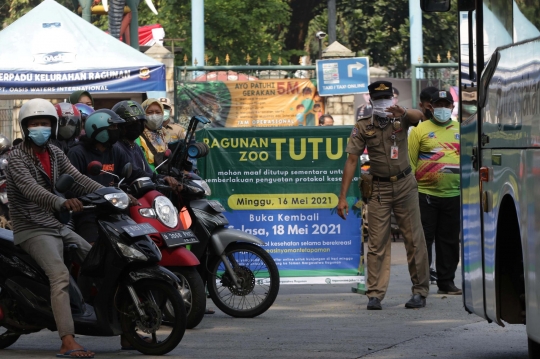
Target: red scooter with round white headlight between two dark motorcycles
{"type": "Point", "coordinates": [158, 211]}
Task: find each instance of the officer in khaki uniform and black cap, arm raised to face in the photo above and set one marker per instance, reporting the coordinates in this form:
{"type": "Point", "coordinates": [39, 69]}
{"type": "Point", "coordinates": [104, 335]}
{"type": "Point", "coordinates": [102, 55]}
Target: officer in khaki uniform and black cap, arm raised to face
{"type": "Point", "coordinates": [393, 187]}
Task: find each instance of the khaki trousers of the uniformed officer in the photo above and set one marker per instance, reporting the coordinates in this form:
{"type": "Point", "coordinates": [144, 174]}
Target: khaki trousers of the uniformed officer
{"type": "Point", "coordinates": [401, 197]}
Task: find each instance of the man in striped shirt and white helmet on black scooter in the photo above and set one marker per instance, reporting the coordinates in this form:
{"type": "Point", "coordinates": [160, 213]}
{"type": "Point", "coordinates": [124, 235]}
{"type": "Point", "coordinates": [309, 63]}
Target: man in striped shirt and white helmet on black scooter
{"type": "Point", "coordinates": [34, 168]}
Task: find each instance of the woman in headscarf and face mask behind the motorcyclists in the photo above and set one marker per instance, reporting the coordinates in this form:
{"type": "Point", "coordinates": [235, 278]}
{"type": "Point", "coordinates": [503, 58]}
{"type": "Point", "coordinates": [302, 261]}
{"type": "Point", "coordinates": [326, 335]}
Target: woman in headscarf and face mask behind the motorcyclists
{"type": "Point", "coordinates": [153, 138]}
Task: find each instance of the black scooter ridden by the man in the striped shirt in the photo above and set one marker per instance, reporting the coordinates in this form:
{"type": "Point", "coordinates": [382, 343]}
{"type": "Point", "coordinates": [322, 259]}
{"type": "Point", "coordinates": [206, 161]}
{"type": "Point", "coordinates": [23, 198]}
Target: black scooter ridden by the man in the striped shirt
{"type": "Point", "coordinates": [135, 296]}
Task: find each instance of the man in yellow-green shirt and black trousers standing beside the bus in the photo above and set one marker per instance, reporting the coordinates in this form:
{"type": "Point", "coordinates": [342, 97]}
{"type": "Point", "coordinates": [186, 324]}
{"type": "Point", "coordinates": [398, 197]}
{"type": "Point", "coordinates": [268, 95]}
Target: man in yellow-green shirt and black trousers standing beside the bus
{"type": "Point", "coordinates": [434, 156]}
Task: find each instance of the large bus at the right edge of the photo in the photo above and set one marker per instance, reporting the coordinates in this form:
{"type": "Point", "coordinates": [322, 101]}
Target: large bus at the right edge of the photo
{"type": "Point", "coordinates": [500, 159]}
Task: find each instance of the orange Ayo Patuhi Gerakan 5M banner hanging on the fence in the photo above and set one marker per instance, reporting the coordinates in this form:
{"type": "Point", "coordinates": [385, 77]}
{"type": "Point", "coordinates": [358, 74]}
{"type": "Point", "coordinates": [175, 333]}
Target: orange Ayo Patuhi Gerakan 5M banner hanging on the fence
{"type": "Point", "coordinates": [255, 103]}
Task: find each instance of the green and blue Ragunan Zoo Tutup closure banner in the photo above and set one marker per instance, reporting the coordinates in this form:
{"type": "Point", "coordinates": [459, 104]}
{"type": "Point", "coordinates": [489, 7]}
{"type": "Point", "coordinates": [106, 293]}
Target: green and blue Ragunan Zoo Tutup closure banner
{"type": "Point", "coordinates": [283, 187]}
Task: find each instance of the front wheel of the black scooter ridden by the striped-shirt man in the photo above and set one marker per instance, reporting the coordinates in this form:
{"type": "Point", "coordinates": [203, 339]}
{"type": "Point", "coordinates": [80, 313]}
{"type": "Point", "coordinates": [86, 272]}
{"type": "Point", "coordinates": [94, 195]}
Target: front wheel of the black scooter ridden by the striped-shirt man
{"type": "Point", "coordinates": [150, 334]}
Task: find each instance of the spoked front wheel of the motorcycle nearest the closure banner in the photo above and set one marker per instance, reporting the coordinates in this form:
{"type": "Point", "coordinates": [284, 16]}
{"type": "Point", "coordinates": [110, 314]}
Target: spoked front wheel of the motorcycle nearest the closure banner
{"type": "Point", "coordinates": [258, 276]}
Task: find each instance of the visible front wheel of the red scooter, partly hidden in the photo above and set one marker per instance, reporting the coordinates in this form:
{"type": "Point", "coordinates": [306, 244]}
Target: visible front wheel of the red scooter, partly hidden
{"type": "Point", "coordinates": [193, 293]}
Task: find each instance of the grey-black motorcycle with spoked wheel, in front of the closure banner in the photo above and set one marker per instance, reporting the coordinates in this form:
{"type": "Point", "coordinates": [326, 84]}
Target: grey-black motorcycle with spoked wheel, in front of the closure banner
{"type": "Point", "coordinates": [241, 277]}
